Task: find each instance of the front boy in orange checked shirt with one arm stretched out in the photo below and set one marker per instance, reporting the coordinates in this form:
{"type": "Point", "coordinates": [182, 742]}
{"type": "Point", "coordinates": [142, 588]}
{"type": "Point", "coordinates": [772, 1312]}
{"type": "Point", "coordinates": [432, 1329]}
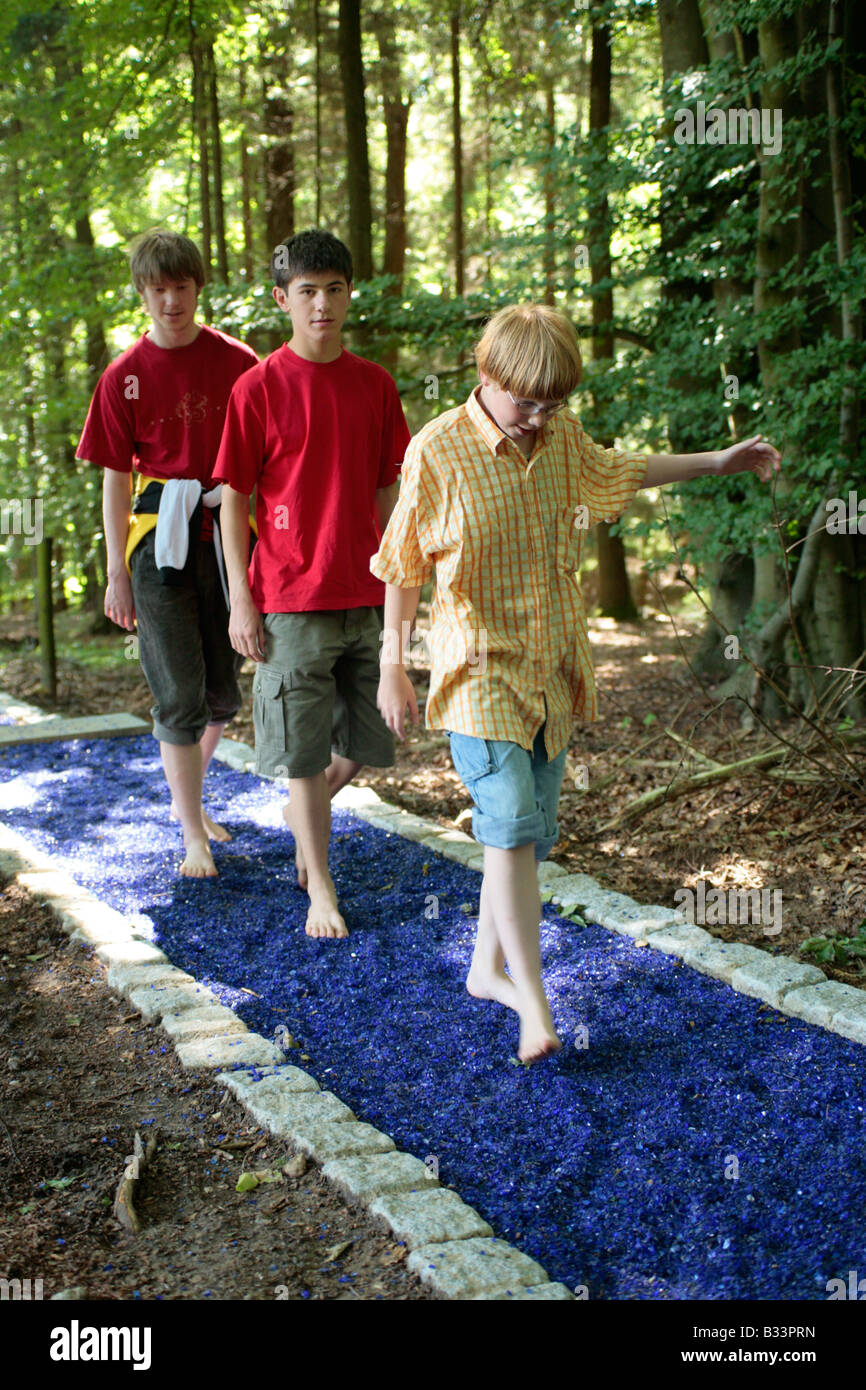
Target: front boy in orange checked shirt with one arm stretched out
{"type": "Point", "coordinates": [494, 504]}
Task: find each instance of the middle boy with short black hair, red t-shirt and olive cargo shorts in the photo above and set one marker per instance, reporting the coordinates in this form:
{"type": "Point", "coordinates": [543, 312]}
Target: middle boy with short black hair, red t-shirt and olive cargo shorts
{"type": "Point", "coordinates": [320, 434]}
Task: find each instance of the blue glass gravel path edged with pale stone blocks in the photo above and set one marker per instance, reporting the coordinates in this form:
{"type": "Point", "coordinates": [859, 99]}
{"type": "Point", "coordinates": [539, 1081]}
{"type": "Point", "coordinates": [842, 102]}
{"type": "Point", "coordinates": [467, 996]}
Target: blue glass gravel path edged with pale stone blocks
{"type": "Point", "coordinates": [700, 1147]}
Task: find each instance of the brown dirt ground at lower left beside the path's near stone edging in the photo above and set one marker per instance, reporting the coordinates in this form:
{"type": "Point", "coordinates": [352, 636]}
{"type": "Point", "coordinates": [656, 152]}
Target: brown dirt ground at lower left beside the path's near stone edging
{"type": "Point", "coordinates": [80, 1074]}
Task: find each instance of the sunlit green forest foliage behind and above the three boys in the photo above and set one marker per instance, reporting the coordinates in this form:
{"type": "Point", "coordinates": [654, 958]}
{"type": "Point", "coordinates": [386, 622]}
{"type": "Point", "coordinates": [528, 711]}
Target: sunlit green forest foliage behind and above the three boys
{"type": "Point", "coordinates": [97, 120]}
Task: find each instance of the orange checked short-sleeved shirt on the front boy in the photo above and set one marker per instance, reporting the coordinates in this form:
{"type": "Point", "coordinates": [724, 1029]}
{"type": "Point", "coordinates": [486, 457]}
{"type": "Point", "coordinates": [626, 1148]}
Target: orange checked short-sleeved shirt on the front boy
{"type": "Point", "coordinates": [503, 534]}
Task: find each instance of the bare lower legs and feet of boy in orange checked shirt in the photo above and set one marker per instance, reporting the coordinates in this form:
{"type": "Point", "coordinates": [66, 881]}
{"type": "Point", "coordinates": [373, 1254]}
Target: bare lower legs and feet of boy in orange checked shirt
{"type": "Point", "coordinates": [512, 911]}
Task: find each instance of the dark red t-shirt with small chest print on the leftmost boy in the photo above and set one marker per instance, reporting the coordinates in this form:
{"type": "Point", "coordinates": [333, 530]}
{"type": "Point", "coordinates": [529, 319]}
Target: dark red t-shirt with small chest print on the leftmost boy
{"type": "Point", "coordinates": [162, 411]}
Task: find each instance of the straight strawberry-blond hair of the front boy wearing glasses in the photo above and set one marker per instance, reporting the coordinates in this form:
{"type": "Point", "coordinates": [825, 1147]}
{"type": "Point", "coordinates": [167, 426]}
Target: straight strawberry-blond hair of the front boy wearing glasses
{"type": "Point", "coordinates": [532, 351]}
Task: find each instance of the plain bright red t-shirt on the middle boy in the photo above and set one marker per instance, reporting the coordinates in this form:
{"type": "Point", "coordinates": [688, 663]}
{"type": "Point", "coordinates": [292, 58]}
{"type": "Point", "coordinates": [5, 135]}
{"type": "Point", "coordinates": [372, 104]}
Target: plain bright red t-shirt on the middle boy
{"type": "Point", "coordinates": [318, 440]}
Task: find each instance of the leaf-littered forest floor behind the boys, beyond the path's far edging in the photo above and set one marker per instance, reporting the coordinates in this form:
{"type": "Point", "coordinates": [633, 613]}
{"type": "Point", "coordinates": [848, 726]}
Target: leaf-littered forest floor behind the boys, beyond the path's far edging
{"type": "Point", "coordinates": [761, 829]}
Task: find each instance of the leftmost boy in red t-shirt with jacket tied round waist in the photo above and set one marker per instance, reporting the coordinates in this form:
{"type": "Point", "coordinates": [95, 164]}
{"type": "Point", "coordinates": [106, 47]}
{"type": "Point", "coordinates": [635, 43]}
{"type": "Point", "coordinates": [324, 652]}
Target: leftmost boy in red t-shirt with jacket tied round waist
{"type": "Point", "coordinates": [161, 409]}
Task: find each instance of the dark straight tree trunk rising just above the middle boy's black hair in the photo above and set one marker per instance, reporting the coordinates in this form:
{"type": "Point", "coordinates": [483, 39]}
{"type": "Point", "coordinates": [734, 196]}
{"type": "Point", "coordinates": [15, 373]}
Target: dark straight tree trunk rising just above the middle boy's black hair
{"type": "Point", "coordinates": [358, 165]}
